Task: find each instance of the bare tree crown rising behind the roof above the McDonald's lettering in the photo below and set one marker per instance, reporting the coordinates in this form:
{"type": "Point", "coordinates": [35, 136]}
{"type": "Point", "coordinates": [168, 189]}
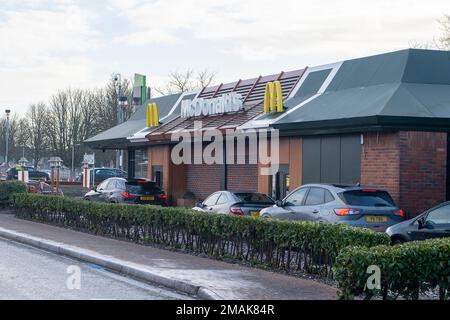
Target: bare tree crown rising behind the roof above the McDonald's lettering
{"type": "Point", "coordinates": [186, 81]}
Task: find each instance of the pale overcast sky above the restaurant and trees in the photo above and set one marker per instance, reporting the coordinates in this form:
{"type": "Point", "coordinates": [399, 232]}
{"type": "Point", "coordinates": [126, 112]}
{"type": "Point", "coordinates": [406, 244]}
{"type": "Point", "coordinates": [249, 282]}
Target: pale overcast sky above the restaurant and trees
{"type": "Point", "coordinates": [46, 45]}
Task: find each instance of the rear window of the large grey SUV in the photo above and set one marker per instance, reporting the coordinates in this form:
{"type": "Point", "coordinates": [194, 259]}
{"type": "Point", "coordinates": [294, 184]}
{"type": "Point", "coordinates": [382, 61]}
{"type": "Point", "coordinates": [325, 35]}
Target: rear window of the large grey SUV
{"type": "Point", "coordinates": [368, 198]}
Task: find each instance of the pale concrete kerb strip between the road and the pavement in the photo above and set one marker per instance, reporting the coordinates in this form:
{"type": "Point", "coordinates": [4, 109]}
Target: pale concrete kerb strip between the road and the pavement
{"type": "Point", "coordinates": [113, 264]}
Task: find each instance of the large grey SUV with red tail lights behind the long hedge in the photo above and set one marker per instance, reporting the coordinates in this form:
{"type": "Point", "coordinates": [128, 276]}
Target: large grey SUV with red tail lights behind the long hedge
{"type": "Point", "coordinates": [356, 206]}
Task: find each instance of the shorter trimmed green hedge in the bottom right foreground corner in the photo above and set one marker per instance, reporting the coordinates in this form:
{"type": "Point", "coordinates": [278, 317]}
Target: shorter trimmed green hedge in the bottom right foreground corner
{"type": "Point", "coordinates": [407, 270]}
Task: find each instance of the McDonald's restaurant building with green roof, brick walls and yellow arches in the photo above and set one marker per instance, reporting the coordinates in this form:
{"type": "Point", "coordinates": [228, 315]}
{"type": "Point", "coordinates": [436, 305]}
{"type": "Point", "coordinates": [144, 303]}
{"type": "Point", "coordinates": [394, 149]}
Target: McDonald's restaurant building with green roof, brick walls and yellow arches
{"type": "Point", "coordinates": [380, 121]}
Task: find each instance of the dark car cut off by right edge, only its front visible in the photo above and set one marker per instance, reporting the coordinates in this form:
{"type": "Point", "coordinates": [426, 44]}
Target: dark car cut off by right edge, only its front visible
{"type": "Point", "coordinates": [433, 223]}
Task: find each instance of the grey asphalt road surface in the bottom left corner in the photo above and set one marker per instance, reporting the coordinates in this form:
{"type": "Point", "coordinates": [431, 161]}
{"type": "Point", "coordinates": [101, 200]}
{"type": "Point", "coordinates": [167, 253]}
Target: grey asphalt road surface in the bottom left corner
{"type": "Point", "coordinates": [28, 273]}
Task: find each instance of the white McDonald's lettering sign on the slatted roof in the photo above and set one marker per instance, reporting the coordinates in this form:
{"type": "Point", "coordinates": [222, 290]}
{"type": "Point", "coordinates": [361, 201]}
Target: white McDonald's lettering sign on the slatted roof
{"type": "Point", "coordinates": [230, 102]}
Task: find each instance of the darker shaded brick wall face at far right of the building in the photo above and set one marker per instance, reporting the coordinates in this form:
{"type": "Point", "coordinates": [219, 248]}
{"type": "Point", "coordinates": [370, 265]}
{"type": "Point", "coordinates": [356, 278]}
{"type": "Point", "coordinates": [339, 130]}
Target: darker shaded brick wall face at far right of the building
{"type": "Point", "coordinates": [423, 161]}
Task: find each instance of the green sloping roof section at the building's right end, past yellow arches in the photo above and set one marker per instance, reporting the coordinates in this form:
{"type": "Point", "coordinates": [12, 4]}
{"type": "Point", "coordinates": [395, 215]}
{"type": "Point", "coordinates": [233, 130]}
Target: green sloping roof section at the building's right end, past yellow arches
{"type": "Point", "coordinates": [403, 89]}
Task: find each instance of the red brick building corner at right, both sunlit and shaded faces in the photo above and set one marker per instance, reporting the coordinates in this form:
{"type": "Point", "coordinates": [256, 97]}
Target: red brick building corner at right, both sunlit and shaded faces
{"type": "Point", "coordinates": [410, 165]}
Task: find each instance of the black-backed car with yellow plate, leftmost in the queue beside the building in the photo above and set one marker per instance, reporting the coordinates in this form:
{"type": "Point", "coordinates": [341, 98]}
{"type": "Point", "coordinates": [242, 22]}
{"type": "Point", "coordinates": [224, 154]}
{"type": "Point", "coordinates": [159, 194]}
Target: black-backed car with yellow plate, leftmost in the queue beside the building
{"type": "Point", "coordinates": [132, 191]}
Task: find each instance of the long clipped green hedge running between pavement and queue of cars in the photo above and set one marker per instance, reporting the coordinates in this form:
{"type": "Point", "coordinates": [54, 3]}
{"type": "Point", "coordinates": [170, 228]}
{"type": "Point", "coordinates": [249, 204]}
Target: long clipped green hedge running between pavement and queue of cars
{"type": "Point", "coordinates": [277, 244]}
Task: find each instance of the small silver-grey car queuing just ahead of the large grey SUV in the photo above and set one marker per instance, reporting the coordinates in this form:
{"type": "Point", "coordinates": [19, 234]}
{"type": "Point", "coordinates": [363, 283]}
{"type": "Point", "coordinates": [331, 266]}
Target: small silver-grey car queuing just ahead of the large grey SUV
{"type": "Point", "coordinates": [236, 203]}
